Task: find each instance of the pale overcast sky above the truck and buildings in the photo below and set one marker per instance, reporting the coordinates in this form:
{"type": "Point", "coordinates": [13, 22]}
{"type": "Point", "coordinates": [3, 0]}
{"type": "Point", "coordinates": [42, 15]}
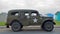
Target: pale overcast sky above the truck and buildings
{"type": "Point", "coordinates": [43, 6]}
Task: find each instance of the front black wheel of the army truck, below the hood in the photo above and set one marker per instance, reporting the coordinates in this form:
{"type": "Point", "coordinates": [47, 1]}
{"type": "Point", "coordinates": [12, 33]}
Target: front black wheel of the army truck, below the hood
{"type": "Point", "coordinates": [48, 26]}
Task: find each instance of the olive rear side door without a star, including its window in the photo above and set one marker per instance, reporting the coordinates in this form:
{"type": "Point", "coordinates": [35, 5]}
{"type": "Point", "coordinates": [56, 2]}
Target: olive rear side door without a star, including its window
{"type": "Point", "coordinates": [25, 18]}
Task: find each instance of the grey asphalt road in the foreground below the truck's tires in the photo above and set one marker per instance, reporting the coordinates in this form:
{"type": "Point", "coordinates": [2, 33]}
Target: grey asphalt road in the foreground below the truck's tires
{"type": "Point", "coordinates": [30, 31]}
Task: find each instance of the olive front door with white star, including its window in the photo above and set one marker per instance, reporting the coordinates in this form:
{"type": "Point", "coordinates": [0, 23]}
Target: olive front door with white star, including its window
{"type": "Point", "coordinates": [34, 18]}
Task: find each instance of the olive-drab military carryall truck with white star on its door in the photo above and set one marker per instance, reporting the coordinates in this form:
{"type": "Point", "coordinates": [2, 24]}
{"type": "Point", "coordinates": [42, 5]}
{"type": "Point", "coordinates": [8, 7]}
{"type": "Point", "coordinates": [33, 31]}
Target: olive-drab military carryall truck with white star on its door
{"type": "Point", "coordinates": [19, 18]}
